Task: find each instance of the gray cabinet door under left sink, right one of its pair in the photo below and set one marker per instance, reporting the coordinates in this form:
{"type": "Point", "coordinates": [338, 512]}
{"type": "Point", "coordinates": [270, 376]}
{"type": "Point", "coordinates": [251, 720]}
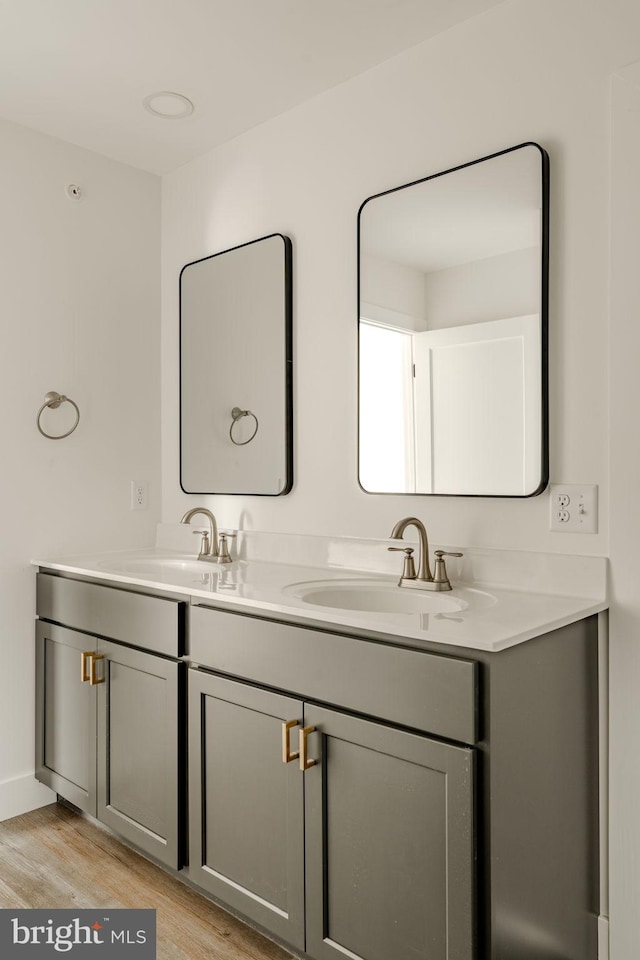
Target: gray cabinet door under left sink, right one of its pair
{"type": "Point", "coordinates": [138, 735]}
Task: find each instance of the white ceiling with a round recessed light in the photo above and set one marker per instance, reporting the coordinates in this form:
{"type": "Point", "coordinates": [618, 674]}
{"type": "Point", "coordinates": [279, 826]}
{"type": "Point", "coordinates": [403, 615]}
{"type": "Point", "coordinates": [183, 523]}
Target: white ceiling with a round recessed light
{"type": "Point", "coordinates": [80, 69]}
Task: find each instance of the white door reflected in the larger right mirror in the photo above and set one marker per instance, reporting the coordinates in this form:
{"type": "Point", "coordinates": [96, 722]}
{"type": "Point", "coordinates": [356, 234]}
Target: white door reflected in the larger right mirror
{"type": "Point", "coordinates": [464, 428]}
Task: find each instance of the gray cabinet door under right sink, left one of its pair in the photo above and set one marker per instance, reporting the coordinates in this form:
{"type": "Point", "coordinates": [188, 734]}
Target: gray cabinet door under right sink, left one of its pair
{"type": "Point", "coordinates": [246, 804]}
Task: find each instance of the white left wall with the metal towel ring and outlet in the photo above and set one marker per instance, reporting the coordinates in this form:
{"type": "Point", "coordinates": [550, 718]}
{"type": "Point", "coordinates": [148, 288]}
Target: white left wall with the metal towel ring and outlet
{"type": "Point", "coordinates": [80, 315]}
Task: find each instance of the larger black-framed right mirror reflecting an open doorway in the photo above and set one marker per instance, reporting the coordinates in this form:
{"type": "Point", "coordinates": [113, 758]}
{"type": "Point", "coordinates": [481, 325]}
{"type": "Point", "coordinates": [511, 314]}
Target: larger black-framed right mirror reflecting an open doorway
{"type": "Point", "coordinates": [453, 294]}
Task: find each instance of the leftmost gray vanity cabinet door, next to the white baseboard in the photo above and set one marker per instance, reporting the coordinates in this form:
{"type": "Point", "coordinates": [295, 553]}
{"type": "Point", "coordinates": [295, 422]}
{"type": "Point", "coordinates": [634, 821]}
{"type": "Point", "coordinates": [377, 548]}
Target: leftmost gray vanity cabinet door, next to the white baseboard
{"type": "Point", "coordinates": [65, 714]}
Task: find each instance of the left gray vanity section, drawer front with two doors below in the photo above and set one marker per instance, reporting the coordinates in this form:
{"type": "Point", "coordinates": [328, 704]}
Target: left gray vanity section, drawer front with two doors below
{"type": "Point", "coordinates": [109, 721]}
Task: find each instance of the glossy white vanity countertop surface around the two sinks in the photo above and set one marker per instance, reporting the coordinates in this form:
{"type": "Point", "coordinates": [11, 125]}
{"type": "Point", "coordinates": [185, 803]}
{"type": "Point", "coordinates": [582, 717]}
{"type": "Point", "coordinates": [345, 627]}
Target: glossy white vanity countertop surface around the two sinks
{"type": "Point", "coordinates": [517, 615]}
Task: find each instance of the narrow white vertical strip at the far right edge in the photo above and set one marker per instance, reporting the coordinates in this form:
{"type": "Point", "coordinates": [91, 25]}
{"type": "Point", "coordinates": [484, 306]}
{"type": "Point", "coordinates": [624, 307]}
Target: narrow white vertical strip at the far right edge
{"type": "Point", "coordinates": [625, 518]}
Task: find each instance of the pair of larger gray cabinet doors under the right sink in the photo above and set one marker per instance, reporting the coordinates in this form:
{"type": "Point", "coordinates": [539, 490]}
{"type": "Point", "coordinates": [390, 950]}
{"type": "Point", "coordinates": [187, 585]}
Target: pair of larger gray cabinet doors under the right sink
{"type": "Point", "coordinates": [379, 826]}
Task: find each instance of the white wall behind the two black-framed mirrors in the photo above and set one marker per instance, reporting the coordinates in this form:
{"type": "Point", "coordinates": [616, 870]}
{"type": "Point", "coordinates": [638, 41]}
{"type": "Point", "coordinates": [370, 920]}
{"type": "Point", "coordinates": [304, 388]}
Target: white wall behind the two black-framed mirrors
{"type": "Point", "coordinates": [523, 71]}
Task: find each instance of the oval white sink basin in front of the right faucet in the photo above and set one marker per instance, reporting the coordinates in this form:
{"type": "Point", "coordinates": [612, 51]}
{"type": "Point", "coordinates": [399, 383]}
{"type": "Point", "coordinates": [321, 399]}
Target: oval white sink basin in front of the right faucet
{"type": "Point", "coordinates": [375, 596]}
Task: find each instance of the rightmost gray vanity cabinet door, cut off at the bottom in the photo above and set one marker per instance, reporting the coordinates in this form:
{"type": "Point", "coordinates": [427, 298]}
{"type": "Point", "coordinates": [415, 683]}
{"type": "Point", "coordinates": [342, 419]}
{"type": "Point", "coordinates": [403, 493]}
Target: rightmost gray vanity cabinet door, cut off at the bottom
{"type": "Point", "coordinates": [389, 843]}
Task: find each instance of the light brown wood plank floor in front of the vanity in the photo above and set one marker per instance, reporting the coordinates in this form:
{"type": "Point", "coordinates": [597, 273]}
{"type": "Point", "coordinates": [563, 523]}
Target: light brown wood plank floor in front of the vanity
{"type": "Point", "coordinates": [53, 857]}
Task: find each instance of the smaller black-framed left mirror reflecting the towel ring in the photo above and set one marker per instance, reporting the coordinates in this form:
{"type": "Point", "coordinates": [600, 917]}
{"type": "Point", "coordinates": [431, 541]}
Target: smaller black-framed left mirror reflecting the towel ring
{"type": "Point", "coordinates": [235, 370]}
